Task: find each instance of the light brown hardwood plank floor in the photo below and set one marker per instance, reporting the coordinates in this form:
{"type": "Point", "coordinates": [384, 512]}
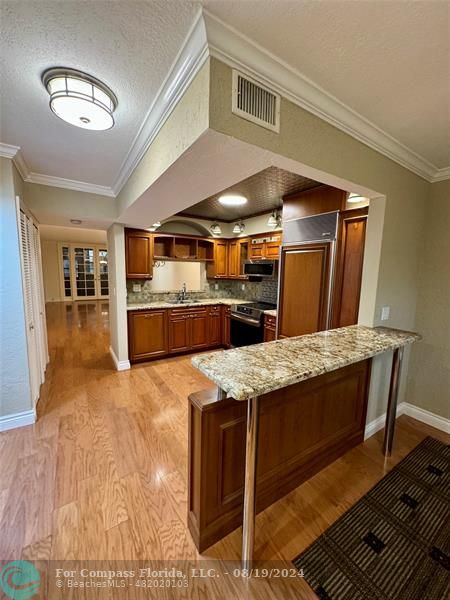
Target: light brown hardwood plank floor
{"type": "Point", "coordinates": [103, 472]}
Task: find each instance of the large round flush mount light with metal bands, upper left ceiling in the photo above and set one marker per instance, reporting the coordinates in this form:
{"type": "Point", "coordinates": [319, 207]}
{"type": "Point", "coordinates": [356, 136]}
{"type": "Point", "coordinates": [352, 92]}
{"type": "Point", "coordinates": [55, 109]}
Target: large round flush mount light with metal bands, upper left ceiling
{"type": "Point", "coordinates": [80, 99]}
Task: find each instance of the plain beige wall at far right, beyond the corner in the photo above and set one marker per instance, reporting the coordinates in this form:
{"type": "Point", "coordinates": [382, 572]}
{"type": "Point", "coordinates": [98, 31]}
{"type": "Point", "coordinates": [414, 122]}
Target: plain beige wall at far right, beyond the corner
{"type": "Point", "coordinates": [429, 373]}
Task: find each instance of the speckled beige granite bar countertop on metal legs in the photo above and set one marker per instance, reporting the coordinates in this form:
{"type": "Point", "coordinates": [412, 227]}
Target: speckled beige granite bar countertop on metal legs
{"type": "Point", "coordinates": [254, 370]}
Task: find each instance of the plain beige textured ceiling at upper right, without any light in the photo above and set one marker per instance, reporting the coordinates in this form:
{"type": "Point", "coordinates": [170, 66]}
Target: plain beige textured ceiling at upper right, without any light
{"type": "Point", "coordinates": [389, 61]}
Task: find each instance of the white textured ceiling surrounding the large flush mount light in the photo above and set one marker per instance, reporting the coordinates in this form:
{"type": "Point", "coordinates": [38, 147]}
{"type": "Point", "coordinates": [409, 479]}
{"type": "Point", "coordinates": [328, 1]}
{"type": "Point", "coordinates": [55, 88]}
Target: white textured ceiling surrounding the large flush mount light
{"type": "Point", "coordinates": [128, 45]}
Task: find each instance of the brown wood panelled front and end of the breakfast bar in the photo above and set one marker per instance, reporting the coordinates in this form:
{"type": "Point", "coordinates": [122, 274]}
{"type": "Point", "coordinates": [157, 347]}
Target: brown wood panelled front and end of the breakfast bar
{"type": "Point", "coordinates": [302, 428]}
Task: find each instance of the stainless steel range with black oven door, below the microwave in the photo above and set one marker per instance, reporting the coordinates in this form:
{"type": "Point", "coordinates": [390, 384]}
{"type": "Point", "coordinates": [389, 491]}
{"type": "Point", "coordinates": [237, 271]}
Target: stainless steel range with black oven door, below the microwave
{"type": "Point", "coordinates": [247, 323]}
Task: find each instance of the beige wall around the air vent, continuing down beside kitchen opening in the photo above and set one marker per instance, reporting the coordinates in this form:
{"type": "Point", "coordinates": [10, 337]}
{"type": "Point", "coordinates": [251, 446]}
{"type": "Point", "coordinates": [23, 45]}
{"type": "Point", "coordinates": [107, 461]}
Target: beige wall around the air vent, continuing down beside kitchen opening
{"type": "Point", "coordinates": [308, 140]}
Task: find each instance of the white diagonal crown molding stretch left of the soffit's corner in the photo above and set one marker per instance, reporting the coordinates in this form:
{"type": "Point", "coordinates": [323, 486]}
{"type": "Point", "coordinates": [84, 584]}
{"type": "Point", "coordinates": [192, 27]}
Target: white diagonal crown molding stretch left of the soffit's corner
{"type": "Point", "coordinates": [191, 57]}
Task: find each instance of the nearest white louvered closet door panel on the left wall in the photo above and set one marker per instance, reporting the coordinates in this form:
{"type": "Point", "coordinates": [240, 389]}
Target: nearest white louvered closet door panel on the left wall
{"type": "Point", "coordinates": [32, 342]}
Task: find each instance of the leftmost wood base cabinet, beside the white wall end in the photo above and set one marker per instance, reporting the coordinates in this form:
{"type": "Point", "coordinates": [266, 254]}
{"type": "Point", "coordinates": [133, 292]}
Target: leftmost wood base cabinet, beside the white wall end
{"type": "Point", "coordinates": [147, 334]}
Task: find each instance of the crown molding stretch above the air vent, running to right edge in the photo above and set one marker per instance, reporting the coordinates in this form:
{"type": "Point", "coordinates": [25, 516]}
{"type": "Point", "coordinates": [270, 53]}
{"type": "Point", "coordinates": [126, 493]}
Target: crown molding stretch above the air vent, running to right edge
{"type": "Point", "coordinates": [238, 51]}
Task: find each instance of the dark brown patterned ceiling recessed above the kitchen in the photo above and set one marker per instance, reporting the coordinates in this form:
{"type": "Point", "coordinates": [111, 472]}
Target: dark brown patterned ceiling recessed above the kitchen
{"type": "Point", "coordinates": [263, 190]}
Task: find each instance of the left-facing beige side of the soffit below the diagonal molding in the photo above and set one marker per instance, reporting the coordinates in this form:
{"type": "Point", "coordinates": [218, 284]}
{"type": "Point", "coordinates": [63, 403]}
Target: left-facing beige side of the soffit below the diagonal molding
{"type": "Point", "coordinates": [188, 120]}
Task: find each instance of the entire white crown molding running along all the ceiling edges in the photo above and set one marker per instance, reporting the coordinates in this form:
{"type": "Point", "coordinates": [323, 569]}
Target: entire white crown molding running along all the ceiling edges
{"type": "Point", "coordinates": [209, 36]}
